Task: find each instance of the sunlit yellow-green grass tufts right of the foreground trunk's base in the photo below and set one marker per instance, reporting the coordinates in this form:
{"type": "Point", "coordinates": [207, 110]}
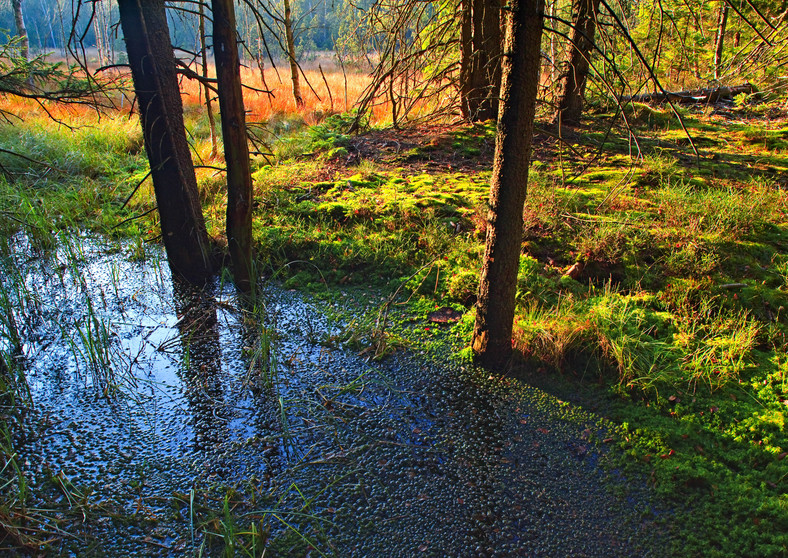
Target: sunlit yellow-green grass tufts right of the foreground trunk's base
{"type": "Point", "coordinates": [647, 348]}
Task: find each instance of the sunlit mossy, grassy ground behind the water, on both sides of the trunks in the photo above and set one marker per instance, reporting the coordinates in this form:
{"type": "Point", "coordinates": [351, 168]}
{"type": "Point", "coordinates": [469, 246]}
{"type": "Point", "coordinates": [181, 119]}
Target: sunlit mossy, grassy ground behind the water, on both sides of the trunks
{"type": "Point", "coordinates": [652, 290]}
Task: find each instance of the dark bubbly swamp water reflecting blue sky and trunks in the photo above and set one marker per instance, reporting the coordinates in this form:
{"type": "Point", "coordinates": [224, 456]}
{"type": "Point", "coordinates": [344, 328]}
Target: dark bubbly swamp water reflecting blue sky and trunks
{"type": "Point", "coordinates": [170, 422]}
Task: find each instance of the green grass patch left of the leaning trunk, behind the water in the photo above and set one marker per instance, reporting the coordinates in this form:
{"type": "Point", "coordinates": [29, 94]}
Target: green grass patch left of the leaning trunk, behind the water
{"type": "Point", "coordinates": [83, 173]}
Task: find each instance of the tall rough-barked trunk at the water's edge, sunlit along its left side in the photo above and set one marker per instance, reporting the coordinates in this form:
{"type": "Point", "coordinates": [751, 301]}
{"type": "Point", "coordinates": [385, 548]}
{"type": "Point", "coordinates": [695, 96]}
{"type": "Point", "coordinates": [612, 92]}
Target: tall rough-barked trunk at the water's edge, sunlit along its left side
{"type": "Point", "coordinates": [492, 335]}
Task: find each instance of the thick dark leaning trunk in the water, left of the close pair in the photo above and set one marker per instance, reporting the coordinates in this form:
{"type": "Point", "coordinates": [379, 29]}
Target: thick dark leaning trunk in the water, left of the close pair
{"type": "Point", "coordinates": [152, 64]}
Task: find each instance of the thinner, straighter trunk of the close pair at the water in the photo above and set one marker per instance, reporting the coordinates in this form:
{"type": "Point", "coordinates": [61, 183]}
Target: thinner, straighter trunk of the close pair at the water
{"type": "Point", "coordinates": [236, 146]}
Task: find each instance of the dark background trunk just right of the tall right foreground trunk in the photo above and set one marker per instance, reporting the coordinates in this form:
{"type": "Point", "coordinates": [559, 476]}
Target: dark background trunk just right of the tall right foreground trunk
{"type": "Point", "coordinates": [570, 103]}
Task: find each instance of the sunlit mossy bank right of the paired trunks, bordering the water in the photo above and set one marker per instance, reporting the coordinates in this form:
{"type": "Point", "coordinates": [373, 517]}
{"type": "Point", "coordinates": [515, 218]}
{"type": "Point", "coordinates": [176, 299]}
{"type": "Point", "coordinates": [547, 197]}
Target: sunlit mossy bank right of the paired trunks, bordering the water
{"type": "Point", "coordinates": [677, 318]}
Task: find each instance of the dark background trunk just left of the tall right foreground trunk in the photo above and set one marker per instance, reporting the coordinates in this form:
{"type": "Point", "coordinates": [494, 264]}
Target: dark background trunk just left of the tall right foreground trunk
{"type": "Point", "coordinates": [480, 65]}
